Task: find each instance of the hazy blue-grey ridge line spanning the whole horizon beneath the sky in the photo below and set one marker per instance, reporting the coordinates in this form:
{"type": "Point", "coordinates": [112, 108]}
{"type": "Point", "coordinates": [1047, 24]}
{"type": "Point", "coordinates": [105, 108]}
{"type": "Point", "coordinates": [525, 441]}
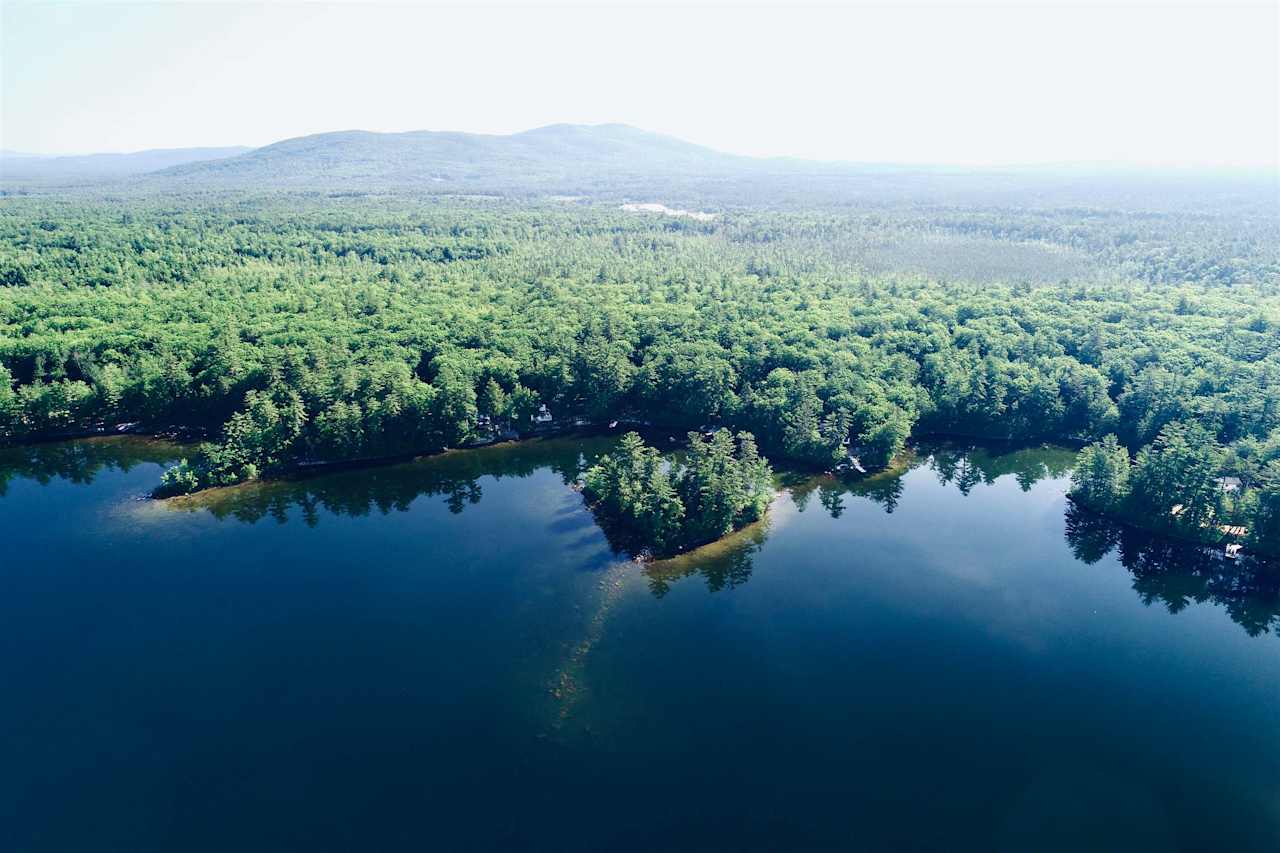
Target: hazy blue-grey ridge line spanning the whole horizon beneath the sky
{"type": "Point", "coordinates": [615, 163]}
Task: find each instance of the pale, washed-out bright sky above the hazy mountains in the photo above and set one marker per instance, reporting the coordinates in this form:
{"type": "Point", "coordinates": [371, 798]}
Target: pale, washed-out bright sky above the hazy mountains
{"type": "Point", "coordinates": [948, 84]}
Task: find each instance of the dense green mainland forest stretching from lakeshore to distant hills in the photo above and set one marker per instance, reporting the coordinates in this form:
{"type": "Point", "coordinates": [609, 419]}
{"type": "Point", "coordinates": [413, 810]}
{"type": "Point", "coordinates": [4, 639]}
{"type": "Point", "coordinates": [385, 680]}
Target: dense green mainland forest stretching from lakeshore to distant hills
{"type": "Point", "coordinates": [312, 327]}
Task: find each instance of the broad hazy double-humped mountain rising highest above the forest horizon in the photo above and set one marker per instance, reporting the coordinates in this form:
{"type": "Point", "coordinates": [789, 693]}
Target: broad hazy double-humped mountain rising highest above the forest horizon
{"type": "Point", "coordinates": [559, 154]}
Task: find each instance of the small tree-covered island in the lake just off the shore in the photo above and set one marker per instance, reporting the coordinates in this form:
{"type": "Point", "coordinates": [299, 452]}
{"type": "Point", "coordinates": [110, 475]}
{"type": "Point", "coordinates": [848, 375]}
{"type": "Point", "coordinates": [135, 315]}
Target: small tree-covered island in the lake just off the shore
{"type": "Point", "coordinates": [659, 508]}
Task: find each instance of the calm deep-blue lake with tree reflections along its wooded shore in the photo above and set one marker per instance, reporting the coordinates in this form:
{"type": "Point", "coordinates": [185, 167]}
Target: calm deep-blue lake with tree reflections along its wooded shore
{"type": "Point", "coordinates": [449, 655]}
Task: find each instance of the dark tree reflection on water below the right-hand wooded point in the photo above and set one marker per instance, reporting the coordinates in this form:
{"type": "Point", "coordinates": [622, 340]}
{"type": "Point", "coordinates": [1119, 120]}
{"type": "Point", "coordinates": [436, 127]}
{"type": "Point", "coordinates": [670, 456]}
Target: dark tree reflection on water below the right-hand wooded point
{"type": "Point", "coordinates": [1178, 574]}
